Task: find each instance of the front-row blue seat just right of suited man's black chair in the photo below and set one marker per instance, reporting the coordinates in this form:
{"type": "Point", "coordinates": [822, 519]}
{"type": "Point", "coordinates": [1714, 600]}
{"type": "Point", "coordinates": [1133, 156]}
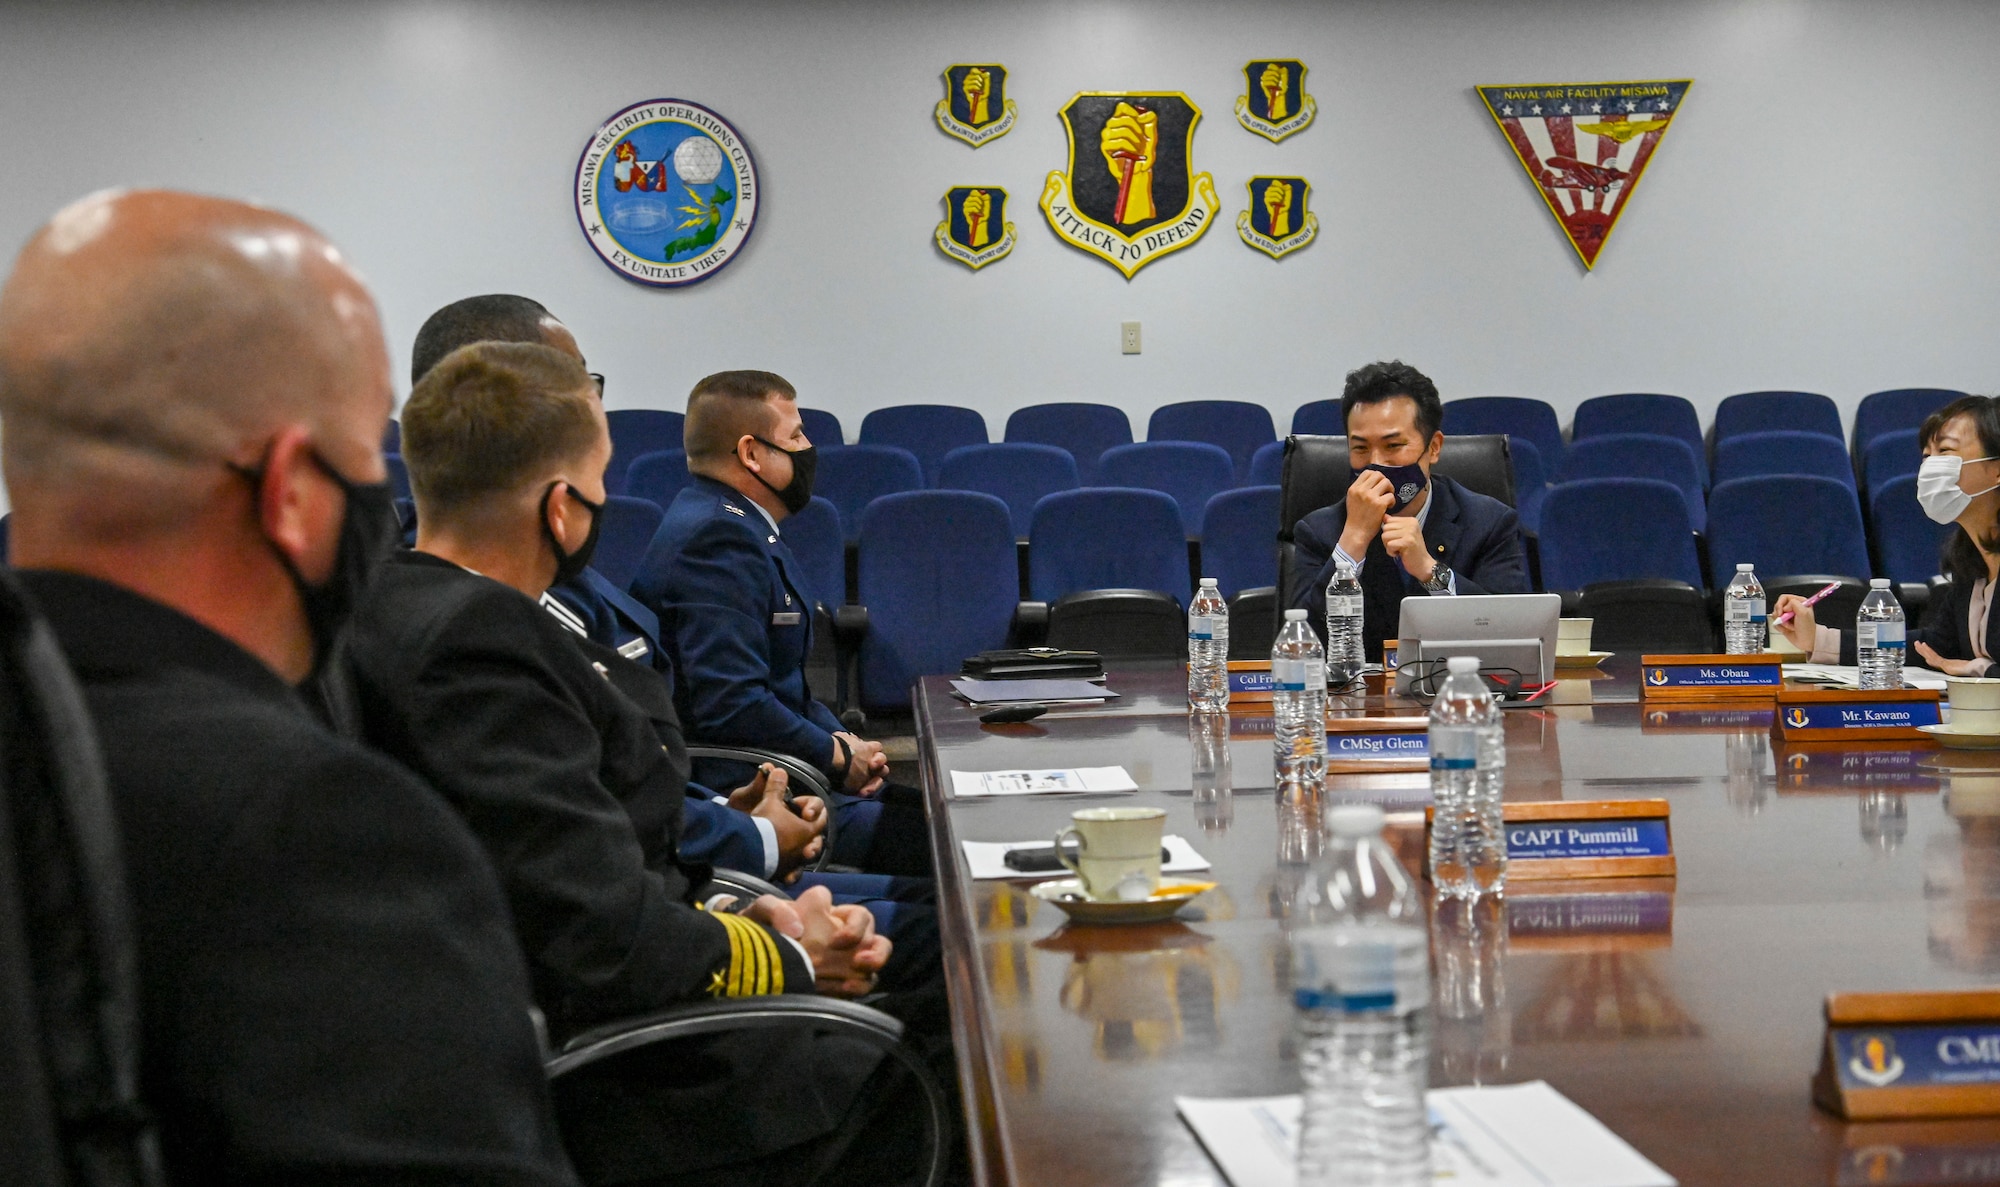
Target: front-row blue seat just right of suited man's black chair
{"type": "Point", "coordinates": [1617, 531]}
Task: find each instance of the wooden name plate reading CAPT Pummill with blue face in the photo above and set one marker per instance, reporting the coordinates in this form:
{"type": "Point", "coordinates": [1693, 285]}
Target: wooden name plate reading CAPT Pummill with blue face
{"type": "Point", "coordinates": [1585, 838]}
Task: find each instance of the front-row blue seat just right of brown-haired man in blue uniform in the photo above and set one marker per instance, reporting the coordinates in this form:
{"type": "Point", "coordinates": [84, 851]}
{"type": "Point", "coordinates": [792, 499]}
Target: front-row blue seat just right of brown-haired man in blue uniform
{"type": "Point", "coordinates": [941, 581]}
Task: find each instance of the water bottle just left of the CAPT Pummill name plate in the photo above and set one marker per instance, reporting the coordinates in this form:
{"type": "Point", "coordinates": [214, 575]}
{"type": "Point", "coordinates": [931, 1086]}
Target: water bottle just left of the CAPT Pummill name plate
{"type": "Point", "coordinates": [1467, 780]}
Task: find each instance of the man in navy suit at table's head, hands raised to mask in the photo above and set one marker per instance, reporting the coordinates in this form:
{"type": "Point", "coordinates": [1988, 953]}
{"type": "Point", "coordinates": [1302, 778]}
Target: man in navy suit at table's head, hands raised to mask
{"type": "Point", "coordinates": [1413, 533]}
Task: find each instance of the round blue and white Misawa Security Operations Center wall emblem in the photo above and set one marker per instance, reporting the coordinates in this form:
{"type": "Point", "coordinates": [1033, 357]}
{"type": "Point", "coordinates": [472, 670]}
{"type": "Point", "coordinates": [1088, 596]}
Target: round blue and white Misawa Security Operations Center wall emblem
{"type": "Point", "coordinates": [667, 193]}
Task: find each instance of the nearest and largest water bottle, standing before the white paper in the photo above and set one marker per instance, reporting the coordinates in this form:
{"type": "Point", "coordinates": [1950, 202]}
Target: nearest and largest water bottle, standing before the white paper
{"type": "Point", "coordinates": [1361, 982]}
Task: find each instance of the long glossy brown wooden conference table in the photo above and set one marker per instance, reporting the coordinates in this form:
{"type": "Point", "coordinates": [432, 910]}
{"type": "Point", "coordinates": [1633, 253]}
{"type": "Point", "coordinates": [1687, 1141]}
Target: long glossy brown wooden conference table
{"type": "Point", "coordinates": [1683, 1012]}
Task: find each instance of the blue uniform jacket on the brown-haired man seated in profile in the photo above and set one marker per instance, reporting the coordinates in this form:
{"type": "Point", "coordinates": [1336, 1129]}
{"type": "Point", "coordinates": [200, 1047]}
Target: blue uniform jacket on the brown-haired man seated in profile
{"type": "Point", "coordinates": [737, 626]}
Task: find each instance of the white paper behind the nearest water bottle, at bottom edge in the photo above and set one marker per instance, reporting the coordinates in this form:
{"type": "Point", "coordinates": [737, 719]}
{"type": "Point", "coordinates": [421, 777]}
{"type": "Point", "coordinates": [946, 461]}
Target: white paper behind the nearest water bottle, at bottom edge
{"type": "Point", "coordinates": [1515, 1136]}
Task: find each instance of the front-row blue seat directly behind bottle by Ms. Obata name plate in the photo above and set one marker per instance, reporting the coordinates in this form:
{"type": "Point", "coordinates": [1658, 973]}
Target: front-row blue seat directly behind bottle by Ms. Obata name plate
{"type": "Point", "coordinates": [1785, 525]}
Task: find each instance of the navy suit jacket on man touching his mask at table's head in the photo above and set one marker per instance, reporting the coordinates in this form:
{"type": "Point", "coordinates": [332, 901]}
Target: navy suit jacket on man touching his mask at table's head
{"type": "Point", "coordinates": [1475, 535]}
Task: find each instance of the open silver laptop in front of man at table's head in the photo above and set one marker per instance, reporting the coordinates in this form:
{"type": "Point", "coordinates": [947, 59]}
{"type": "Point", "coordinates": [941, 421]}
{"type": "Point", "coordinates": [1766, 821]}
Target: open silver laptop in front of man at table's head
{"type": "Point", "coordinates": [1505, 630]}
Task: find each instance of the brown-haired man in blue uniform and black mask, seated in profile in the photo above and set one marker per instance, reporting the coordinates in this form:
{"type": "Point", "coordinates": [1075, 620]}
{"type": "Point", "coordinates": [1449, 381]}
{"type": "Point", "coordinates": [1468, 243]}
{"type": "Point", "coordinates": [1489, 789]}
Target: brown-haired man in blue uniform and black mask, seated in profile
{"type": "Point", "coordinates": [737, 614]}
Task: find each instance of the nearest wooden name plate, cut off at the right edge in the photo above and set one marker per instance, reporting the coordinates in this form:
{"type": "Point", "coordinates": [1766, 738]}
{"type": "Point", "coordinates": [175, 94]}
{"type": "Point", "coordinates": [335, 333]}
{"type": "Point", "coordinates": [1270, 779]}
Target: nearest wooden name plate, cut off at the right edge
{"type": "Point", "coordinates": [1899, 1056]}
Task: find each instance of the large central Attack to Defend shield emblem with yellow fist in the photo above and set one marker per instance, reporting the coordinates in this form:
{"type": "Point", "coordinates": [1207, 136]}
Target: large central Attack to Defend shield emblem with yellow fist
{"type": "Point", "coordinates": [1131, 193]}
